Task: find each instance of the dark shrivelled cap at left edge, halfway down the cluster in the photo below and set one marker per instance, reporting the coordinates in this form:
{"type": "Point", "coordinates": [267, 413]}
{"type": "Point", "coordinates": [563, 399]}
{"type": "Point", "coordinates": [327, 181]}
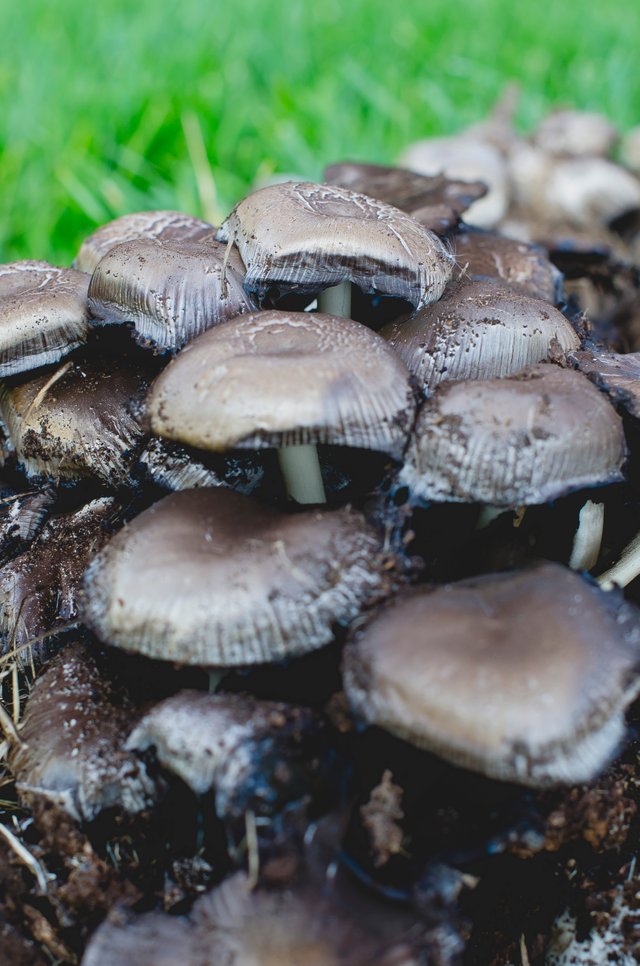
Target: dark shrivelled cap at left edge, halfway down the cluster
{"type": "Point", "coordinates": [39, 589]}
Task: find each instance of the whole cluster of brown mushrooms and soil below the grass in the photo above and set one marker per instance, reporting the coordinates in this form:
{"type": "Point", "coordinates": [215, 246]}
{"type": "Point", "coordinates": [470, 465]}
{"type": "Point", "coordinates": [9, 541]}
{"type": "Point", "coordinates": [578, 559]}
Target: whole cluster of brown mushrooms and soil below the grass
{"type": "Point", "coordinates": [313, 536]}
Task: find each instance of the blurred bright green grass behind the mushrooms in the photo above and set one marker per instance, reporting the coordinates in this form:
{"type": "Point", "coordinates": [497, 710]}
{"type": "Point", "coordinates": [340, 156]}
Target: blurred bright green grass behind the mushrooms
{"type": "Point", "coordinates": [115, 107]}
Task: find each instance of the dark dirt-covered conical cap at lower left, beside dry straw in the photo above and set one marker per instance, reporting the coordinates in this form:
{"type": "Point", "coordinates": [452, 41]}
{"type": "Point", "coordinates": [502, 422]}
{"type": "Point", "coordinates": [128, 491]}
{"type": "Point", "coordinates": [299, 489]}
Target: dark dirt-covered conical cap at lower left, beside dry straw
{"type": "Point", "coordinates": [73, 732]}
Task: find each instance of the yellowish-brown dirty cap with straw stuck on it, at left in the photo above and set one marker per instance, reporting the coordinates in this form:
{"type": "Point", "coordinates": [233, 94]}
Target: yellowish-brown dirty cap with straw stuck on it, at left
{"type": "Point", "coordinates": [79, 421]}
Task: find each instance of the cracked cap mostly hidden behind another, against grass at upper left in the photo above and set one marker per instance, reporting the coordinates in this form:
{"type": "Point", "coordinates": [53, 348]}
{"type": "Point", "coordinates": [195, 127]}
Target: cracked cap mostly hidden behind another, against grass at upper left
{"type": "Point", "coordinates": [162, 226]}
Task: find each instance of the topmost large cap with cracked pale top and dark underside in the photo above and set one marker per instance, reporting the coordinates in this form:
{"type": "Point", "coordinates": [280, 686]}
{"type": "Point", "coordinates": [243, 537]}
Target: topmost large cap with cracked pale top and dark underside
{"type": "Point", "coordinates": [303, 237]}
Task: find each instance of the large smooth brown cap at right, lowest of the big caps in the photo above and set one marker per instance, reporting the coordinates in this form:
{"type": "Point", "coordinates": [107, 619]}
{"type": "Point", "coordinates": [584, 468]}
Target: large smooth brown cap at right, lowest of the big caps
{"type": "Point", "coordinates": [522, 676]}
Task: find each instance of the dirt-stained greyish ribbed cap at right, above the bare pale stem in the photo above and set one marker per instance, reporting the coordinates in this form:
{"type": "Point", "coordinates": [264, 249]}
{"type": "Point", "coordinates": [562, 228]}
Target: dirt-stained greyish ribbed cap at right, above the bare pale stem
{"type": "Point", "coordinates": [513, 442]}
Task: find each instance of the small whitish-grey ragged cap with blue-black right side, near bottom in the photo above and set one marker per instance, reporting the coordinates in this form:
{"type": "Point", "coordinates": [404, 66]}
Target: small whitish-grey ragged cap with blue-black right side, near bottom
{"type": "Point", "coordinates": [257, 755]}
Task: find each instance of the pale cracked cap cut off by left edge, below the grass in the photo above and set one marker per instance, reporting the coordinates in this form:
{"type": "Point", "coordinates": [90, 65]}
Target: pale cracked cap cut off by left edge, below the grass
{"type": "Point", "coordinates": [43, 314]}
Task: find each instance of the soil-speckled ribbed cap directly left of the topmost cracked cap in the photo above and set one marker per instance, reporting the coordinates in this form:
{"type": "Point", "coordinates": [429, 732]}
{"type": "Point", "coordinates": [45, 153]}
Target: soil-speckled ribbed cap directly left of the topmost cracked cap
{"type": "Point", "coordinates": [170, 291]}
